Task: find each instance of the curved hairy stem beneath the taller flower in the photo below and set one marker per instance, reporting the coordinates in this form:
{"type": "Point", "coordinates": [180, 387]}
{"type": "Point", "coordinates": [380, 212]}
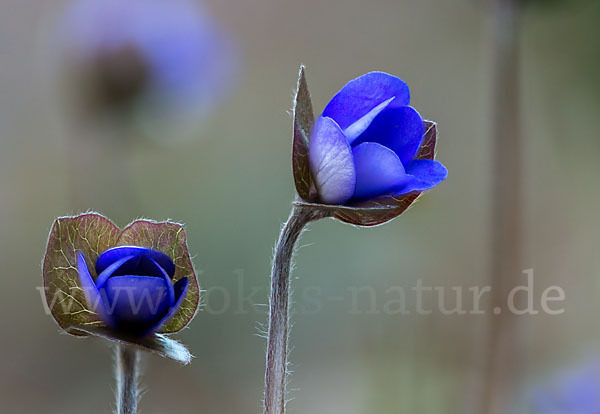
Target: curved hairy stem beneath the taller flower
{"type": "Point", "coordinates": [277, 342]}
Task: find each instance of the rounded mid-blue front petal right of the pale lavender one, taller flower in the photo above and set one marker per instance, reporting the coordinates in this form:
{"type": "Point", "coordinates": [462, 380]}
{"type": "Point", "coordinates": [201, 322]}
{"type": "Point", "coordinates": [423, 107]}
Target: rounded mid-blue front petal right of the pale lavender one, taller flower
{"type": "Point", "coordinates": [378, 170]}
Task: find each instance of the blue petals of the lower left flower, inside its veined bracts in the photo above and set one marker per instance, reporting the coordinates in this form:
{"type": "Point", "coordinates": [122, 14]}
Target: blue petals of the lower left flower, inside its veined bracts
{"type": "Point", "coordinates": [133, 292]}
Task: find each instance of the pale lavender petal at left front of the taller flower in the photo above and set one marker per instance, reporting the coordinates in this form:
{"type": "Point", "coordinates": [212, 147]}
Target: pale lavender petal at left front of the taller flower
{"type": "Point", "coordinates": [331, 163]}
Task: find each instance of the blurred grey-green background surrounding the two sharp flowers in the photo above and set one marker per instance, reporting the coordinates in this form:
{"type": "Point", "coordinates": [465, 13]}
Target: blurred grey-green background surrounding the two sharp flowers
{"type": "Point", "coordinates": [216, 156]}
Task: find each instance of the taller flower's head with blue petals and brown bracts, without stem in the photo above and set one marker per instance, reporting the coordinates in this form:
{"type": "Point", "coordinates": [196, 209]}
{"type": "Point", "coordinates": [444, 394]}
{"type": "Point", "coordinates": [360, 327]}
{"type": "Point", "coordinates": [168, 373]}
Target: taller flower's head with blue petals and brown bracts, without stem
{"type": "Point", "coordinates": [369, 155]}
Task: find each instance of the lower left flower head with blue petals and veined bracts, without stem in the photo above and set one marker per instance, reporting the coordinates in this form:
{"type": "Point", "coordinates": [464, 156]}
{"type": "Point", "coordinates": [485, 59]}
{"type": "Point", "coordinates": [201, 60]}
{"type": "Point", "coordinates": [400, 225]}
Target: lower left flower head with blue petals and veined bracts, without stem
{"type": "Point", "coordinates": [130, 285]}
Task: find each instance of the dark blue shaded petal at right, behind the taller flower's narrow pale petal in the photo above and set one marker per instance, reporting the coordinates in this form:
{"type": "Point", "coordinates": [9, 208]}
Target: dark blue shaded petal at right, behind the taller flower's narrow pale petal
{"type": "Point", "coordinates": [400, 129]}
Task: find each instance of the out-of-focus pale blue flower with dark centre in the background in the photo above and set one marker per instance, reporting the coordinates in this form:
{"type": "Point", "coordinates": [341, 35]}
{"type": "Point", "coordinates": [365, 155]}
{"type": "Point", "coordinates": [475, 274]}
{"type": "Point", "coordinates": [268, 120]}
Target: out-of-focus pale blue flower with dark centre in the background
{"type": "Point", "coordinates": [159, 57]}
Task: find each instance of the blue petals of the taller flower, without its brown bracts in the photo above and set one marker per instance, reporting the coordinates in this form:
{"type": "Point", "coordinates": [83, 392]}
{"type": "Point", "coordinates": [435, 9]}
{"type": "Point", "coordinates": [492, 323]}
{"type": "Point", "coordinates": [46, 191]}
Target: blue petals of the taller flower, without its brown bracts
{"type": "Point", "coordinates": [366, 142]}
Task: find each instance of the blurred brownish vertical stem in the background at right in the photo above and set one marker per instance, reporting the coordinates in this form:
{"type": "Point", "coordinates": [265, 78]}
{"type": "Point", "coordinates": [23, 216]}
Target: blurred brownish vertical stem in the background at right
{"type": "Point", "coordinates": [502, 344]}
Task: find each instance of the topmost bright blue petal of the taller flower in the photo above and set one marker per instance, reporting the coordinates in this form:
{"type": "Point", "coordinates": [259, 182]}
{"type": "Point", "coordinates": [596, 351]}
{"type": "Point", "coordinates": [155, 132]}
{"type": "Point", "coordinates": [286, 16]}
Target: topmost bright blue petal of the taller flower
{"type": "Point", "coordinates": [359, 96]}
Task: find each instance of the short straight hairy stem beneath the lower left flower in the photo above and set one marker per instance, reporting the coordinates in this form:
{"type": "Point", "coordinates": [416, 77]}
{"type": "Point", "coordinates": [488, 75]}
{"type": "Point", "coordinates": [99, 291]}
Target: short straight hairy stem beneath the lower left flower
{"type": "Point", "coordinates": [127, 379]}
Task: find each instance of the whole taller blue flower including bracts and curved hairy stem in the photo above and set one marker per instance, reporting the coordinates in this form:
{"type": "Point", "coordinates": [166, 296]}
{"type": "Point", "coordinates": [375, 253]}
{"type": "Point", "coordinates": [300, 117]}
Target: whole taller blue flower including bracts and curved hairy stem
{"type": "Point", "coordinates": [391, 163]}
